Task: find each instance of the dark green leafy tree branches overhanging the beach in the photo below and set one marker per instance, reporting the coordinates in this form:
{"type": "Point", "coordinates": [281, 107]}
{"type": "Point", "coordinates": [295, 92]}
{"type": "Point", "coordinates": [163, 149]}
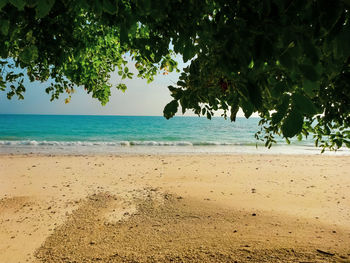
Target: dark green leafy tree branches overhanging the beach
{"type": "Point", "coordinates": [287, 60]}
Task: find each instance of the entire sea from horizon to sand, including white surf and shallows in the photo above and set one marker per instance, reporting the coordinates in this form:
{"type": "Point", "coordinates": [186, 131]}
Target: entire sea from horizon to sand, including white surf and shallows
{"type": "Point", "coordinates": [90, 134]}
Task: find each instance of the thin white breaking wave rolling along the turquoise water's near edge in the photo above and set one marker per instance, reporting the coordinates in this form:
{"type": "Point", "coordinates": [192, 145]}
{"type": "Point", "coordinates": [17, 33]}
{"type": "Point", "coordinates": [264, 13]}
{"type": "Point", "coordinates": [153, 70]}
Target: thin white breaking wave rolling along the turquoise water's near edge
{"type": "Point", "coordinates": [114, 143]}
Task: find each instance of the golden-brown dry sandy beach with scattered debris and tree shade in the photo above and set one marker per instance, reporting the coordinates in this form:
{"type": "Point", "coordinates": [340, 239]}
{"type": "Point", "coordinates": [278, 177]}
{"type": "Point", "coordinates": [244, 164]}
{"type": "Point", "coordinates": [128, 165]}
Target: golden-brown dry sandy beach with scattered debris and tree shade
{"type": "Point", "coordinates": [175, 208]}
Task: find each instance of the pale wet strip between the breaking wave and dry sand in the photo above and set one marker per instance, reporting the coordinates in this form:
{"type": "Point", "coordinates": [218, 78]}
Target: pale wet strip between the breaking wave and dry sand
{"type": "Point", "coordinates": [172, 150]}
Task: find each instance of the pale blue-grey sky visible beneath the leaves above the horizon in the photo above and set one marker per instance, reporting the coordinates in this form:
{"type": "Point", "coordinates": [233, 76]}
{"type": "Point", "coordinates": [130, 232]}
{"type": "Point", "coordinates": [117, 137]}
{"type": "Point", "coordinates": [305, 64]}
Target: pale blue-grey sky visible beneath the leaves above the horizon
{"type": "Point", "coordinates": [140, 98]}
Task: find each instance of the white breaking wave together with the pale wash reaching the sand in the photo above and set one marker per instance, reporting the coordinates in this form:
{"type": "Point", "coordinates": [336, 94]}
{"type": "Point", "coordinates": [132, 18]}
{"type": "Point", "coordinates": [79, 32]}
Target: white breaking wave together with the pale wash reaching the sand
{"type": "Point", "coordinates": [155, 147]}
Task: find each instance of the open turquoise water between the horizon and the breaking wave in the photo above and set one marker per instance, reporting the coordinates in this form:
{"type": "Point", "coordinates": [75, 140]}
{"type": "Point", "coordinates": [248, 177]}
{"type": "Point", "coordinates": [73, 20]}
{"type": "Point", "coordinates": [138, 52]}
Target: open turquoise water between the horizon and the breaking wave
{"type": "Point", "coordinates": [135, 129]}
